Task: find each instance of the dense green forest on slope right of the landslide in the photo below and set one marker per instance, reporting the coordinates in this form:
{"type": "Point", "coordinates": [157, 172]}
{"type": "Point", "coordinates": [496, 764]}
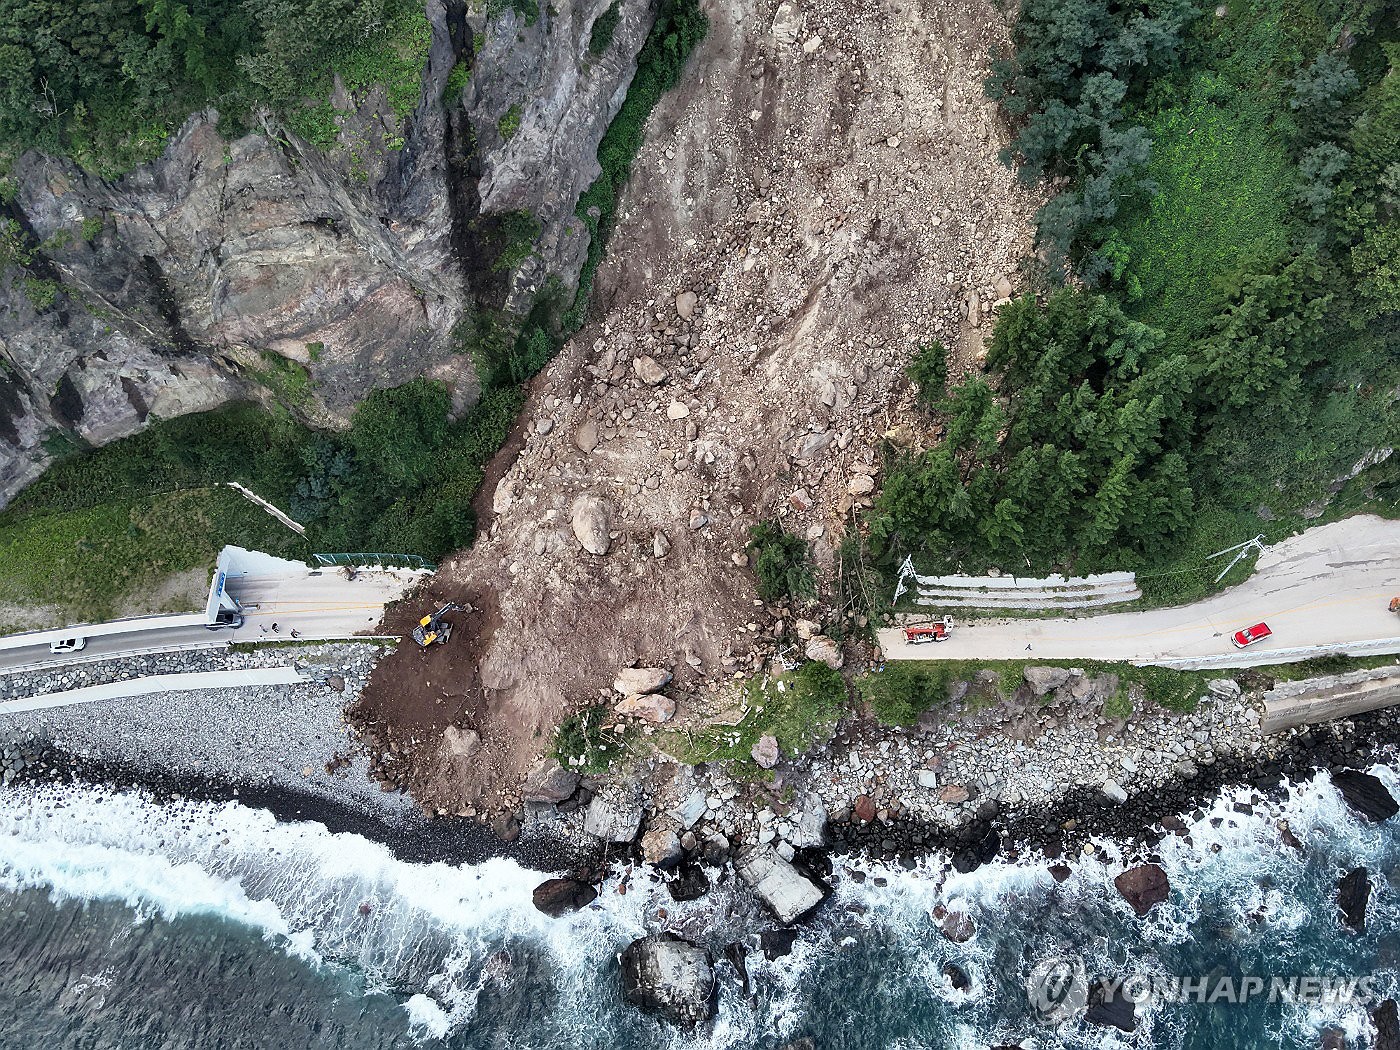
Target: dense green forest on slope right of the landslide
{"type": "Point", "coordinates": [1213, 337]}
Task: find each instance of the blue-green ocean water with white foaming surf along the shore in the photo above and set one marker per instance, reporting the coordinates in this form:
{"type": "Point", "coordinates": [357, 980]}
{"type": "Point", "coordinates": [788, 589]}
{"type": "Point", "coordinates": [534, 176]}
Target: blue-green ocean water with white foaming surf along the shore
{"type": "Point", "coordinates": [136, 926]}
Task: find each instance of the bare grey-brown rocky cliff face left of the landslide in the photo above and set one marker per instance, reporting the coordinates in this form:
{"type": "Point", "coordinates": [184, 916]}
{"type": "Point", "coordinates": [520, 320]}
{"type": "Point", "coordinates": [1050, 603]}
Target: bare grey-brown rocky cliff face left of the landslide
{"type": "Point", "coordinates": [183, 285]}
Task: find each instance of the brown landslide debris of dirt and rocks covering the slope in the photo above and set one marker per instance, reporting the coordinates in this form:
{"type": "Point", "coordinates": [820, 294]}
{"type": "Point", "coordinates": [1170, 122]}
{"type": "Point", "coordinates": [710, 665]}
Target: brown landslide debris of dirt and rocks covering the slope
{"type": "Point", "coordinates": [821, 197]}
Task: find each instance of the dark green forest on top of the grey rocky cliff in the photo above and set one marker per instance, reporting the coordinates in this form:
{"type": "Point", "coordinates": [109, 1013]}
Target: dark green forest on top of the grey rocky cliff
{"type": "Point", "coordinates": [108, 82]}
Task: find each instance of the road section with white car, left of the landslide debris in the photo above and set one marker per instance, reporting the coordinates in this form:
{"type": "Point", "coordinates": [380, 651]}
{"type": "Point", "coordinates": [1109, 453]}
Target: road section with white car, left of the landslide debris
{"type": "Point", "coordinates": [316, 607]}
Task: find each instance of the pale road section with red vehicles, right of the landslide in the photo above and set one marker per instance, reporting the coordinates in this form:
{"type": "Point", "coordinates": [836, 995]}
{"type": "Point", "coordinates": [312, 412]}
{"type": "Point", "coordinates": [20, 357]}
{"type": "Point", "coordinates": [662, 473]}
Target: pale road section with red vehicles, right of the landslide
{"type": "Point", "coordinates": [1324, 591]}
